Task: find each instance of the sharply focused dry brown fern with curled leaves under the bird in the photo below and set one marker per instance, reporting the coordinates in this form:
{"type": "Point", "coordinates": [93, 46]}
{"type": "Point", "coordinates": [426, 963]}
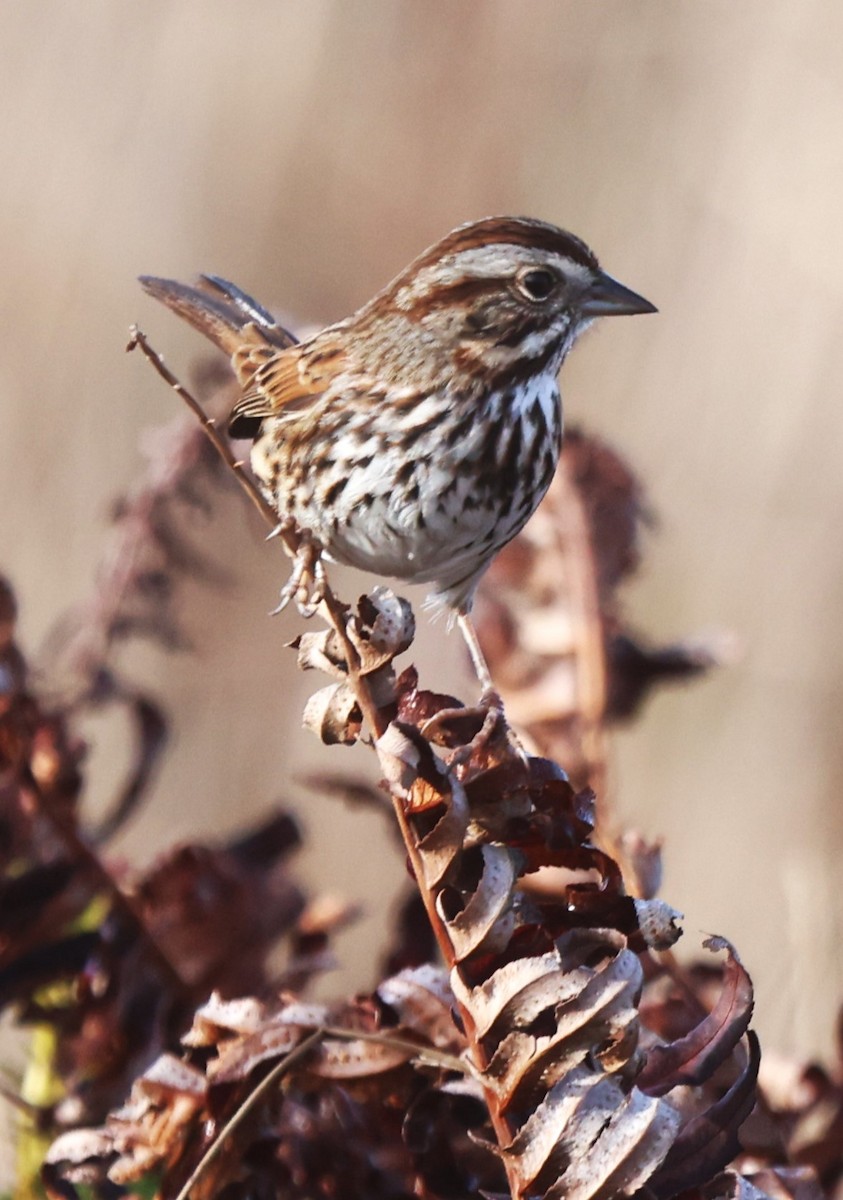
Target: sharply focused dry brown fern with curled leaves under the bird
{"type": "Point", "coordinates": [547, 989]}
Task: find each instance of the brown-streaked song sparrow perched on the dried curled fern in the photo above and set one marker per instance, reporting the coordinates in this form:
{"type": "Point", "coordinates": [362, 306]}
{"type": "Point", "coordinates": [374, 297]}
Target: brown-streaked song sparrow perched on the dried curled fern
{"type": "Point", "coordinates": [416, 437]}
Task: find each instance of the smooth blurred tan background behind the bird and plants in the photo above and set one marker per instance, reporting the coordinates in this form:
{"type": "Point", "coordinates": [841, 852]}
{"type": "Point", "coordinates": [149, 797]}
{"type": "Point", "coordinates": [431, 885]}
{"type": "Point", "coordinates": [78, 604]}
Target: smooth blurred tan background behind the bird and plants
{"type": "Point", "coordinates": [308, 151]}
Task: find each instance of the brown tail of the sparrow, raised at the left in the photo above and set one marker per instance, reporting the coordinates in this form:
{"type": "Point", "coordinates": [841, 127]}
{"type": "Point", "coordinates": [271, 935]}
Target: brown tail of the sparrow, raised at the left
{"type": "Point", "coordinates": [219, 310]}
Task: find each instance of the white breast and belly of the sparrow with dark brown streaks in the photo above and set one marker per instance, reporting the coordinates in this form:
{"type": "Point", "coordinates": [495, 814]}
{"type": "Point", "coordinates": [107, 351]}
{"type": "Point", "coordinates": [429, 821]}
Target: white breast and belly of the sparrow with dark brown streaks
{"type": "Point", "coordinates": [409, 488]}
